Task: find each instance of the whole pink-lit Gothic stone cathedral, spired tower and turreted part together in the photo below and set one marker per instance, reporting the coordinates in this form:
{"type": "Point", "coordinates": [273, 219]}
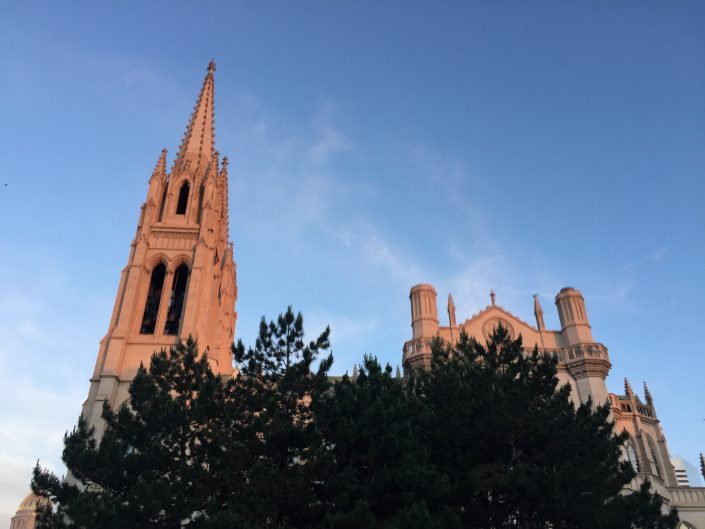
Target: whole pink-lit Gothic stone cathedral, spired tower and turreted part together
{"type": "Point", "coordinates": [180, 280]}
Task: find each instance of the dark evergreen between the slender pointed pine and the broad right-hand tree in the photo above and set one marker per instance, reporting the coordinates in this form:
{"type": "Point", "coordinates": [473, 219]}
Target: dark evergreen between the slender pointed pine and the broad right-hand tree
{"type": "Point", "coordinates": [378, 472]}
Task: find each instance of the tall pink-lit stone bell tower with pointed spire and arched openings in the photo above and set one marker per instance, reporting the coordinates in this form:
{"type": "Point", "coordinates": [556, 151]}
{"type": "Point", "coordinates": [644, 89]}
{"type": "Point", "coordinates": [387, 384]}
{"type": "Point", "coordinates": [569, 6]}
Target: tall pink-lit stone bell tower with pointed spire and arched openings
{"type": "Point", "coordinates": [180, 276]}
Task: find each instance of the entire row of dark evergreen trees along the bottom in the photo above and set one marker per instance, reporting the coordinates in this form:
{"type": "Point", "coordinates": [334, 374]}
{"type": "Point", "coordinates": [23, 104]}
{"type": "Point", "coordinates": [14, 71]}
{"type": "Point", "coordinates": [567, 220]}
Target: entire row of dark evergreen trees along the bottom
{"type": "Point", "coordinates": [485, 439]}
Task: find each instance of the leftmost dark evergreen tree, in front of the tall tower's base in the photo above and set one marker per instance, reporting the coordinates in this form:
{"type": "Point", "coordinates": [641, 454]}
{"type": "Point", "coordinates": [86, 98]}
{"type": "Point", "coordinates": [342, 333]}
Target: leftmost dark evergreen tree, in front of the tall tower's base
{"type": "Point", "coordinates": [151, 467]}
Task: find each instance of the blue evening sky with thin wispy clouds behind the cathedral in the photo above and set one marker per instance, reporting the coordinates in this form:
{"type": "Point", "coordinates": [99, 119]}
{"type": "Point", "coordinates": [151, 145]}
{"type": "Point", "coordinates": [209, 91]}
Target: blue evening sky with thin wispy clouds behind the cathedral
{"type": "Point", "coordinates": [473, 145]}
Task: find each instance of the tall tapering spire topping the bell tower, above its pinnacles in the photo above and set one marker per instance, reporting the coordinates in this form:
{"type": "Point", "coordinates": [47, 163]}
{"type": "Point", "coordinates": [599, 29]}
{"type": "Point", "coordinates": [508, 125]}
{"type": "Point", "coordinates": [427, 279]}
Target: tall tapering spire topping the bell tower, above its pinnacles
{"type": "Point", "coordinates": [198, 144]}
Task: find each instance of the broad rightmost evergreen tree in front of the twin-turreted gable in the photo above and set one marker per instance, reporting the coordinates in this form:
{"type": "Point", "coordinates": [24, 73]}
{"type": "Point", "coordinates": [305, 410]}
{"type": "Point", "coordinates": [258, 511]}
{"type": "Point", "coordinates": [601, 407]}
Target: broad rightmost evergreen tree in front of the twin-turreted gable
{"type": "Point", "coordinates": [515, 450]}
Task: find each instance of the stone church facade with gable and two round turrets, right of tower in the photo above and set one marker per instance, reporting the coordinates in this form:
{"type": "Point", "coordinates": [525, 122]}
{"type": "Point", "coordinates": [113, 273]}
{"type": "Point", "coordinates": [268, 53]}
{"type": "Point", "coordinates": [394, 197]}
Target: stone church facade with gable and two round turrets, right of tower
{"type": "Point", "coordinates": [583, 364]}
